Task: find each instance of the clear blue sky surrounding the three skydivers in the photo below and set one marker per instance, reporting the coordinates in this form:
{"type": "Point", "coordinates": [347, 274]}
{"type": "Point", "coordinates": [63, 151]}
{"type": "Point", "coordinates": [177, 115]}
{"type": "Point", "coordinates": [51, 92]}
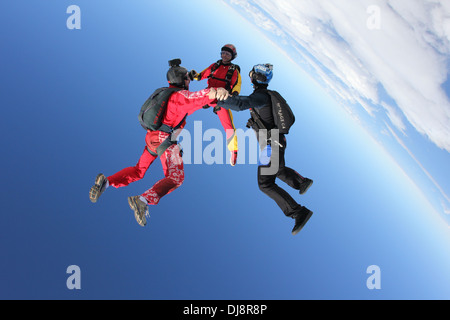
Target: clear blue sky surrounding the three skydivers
{"type": "Point", "coordinates": [70, 101]}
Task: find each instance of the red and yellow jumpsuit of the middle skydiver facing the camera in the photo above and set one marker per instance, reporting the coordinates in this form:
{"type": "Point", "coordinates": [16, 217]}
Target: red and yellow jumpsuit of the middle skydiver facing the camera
{"type": "Point", "coordinates": [217, 81]}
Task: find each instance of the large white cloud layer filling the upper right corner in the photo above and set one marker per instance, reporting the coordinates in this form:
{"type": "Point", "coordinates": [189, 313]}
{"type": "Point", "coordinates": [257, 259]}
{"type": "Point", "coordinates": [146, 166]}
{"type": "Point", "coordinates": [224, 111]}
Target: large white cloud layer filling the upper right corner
{"type": "Point", "coordinates": [407, 55]}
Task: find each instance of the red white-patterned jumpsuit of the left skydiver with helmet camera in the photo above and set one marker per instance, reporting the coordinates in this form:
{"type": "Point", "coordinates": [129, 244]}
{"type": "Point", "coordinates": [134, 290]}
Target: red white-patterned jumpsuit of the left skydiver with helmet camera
{"type": "Point", "coordinates": [180, 103]}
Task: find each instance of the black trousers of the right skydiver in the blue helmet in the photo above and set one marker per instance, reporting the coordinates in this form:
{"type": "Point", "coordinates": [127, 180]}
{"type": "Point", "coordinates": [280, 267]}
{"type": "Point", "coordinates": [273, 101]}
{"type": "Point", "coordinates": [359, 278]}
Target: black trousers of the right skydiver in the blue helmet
{"type": "Point", "coordinates": [292, 178]}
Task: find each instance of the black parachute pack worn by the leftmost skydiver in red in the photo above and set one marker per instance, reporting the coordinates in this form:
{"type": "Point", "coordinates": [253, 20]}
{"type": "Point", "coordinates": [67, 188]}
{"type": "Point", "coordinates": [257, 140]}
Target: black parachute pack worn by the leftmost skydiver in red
{"type": "Point", "coordinates": [152, 114]}
